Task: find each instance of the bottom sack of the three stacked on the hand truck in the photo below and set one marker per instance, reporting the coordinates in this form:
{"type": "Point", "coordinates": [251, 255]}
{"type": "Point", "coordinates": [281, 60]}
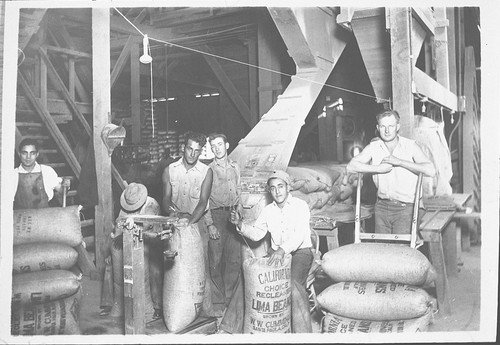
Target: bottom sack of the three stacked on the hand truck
{"type": "Point", "coordinates": [332, 323]}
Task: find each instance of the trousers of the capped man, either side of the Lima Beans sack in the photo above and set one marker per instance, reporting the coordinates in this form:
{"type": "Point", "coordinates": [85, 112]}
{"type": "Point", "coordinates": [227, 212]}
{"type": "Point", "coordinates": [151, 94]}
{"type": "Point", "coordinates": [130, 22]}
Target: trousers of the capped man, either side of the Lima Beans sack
{"type": "Point", "coordinates": [302, 259]}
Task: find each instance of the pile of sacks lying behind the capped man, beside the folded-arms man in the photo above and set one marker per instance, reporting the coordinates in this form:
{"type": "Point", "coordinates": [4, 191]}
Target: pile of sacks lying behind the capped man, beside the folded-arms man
{"type": "Point", "coordinates": [321, 184]}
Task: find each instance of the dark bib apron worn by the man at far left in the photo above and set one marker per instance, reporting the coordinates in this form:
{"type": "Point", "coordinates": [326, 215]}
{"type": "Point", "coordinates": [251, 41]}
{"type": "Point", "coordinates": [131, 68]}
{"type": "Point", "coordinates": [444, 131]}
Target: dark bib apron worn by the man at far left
{"type": "Point", "coordinates": [30, 192]}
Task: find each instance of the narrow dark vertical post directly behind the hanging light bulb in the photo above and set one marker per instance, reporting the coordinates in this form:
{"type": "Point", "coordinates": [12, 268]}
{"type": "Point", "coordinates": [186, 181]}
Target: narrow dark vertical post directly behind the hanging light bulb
{"type": "Point", "coordinates": [135, 93]}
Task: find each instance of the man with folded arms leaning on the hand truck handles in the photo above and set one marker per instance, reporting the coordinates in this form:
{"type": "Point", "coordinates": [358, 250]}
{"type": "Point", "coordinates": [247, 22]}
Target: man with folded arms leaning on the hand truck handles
{"type": "Point", "coordinates": [395, 163]}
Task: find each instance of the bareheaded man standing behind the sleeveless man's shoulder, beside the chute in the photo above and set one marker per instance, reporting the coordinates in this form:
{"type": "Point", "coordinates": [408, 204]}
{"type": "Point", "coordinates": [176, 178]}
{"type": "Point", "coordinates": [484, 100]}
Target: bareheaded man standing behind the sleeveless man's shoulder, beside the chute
{"type": "Point", "coordinates": [224, 242]}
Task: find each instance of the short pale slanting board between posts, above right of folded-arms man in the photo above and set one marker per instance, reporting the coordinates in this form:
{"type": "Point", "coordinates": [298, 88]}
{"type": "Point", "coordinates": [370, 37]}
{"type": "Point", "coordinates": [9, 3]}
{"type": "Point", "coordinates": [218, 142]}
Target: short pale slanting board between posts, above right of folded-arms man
{"type": "Point", "coordinates": [427, 86]}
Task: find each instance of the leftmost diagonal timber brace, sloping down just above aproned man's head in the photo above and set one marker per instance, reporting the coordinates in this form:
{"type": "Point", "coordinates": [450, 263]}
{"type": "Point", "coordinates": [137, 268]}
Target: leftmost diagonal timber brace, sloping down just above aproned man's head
{"type": "Point", "coordinates": [51, 126]}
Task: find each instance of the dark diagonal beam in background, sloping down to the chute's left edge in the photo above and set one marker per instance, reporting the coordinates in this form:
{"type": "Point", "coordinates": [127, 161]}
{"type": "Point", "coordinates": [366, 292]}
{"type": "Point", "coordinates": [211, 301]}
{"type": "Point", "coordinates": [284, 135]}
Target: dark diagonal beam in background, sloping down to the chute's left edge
{"type": "Point", "coordinates": [229, 88]}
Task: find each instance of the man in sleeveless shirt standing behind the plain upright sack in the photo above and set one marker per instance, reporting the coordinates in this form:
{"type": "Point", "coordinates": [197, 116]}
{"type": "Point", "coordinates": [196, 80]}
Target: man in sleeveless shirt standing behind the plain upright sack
{"type": "Point", "coordinates": [187, 184]}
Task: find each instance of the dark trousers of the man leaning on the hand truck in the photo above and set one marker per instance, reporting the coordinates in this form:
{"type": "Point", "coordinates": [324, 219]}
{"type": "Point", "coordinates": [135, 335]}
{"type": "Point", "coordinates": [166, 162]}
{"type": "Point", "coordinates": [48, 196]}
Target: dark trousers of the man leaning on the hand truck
{"type": "Point", "coordinates": [394, 217]}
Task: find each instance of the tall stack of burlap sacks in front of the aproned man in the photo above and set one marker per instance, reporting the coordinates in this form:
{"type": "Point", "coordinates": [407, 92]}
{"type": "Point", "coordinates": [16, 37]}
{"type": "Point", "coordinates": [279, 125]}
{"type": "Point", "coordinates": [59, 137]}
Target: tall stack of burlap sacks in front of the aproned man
{"type": "Point", "coordinates": [46, 295]}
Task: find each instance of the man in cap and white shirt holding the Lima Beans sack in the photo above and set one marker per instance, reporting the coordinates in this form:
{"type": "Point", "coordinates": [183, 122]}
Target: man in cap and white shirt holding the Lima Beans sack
{"type": "Point", "coordinates": [286, 218]}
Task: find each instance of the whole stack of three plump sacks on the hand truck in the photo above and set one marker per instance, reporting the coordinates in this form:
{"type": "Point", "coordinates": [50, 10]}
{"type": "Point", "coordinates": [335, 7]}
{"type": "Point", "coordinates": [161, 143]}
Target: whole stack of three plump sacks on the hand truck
{"type": "Point", "coordinates": [379, 288]}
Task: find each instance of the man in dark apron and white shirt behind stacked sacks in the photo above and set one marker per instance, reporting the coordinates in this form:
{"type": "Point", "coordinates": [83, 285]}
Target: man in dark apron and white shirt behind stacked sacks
{"type": "Point", "coordinates": [36, 183]}
